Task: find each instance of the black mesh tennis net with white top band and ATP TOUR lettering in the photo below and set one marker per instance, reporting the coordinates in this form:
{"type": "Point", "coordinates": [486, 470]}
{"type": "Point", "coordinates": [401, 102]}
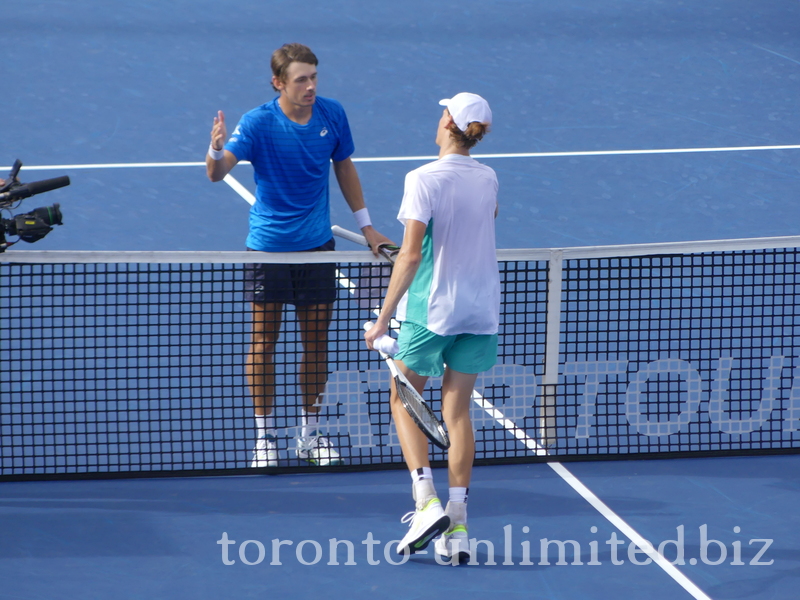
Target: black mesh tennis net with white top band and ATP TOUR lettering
{"type": "Point", "coordinates": [134, 363]}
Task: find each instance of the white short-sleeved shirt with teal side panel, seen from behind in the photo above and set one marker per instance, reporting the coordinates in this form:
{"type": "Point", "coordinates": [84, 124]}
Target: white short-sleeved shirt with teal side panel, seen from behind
{"type": "Point", "coordinates": [457, 287]}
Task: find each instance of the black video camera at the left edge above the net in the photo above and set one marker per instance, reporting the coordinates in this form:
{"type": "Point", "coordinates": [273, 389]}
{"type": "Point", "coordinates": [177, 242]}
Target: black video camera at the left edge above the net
{"type": "Point", "coordinates": [33, 226]}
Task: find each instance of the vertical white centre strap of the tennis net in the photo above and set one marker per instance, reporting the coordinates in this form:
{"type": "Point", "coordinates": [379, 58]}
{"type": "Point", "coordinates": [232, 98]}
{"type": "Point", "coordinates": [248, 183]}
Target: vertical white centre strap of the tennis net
{"type": "Point", "coordinates": [547, 431]}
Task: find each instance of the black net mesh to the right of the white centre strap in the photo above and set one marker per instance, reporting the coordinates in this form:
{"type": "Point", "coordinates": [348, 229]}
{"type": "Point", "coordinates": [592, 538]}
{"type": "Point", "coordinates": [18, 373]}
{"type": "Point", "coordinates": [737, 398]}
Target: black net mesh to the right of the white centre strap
{"type": "Point", "coordinates": [679, 353]}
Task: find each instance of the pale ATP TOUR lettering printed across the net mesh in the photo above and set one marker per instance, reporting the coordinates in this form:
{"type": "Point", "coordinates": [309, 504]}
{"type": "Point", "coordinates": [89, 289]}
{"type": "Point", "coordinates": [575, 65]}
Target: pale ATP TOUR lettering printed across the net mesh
{"type": "Point", "coordinates": [518, 393]}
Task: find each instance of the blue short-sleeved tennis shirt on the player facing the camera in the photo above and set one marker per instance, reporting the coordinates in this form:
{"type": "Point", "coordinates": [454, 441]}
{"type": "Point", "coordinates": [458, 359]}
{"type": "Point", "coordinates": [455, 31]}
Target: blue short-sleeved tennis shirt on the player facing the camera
{"type": "Point", "coordinates": [291, 165]}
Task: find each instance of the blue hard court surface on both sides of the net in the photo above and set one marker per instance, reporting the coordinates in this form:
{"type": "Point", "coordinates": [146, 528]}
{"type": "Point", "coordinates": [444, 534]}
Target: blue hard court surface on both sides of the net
{"type": "Point", "coordinates": [616, 122]}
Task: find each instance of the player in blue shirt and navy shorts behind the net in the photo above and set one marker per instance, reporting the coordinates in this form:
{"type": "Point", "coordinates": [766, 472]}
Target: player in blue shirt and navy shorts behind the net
{"type": "Point", "coordinates": [291, 142]}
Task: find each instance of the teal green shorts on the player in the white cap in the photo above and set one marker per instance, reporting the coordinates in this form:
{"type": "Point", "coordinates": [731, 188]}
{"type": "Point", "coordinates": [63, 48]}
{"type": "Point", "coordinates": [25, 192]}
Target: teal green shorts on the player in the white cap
{"type": "Point", "coordinates": [426, 353]}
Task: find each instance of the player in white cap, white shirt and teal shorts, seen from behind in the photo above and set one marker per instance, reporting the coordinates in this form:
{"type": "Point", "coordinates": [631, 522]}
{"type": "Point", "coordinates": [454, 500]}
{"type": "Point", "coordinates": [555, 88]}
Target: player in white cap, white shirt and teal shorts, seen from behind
{"type": "Point", "coordinates": [445, 290]}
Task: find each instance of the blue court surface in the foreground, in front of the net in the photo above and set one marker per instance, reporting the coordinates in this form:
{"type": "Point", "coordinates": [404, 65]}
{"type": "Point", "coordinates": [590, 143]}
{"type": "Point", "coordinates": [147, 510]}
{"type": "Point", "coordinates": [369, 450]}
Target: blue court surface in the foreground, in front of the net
{"type": "Point", "coordinates": [148, 538]}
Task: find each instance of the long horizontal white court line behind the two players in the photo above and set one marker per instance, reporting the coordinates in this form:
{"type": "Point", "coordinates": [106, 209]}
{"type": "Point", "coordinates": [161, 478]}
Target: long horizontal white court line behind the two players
{"type": "Point", "coordinates": [414, 158]}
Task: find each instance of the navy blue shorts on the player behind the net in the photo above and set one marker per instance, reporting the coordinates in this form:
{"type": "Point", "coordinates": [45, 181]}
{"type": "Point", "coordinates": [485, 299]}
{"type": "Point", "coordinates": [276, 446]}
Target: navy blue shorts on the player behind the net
{"type": "Point", "coordinates": [295, 284]}
